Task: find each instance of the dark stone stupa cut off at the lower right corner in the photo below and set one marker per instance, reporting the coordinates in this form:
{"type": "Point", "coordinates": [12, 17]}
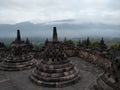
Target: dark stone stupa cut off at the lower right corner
{"type": "Point", "coordinates": [110, 80]}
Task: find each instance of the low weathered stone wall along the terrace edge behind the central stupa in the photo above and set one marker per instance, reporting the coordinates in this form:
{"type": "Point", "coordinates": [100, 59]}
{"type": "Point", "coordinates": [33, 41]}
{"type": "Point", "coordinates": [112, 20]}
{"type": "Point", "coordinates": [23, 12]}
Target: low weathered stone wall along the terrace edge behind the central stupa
{"type": "Point", "coordinates": [90, 57]}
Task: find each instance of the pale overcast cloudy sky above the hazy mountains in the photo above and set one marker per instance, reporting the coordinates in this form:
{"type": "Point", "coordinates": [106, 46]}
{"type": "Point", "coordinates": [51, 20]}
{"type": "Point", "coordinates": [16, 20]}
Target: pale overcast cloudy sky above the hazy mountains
{"type": "Point", "coordinates": [38, 11]}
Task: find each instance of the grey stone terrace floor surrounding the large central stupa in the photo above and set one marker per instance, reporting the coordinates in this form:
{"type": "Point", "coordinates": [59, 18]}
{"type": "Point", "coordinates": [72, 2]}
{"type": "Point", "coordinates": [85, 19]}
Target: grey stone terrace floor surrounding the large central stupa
{"type": "Point", "coordinates": [18, 80]}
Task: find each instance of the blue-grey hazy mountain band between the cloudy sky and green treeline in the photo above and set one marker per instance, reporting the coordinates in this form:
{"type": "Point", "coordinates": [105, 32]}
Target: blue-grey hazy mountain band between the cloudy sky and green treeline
{"type": "Point", "coordinates": [66, 28]}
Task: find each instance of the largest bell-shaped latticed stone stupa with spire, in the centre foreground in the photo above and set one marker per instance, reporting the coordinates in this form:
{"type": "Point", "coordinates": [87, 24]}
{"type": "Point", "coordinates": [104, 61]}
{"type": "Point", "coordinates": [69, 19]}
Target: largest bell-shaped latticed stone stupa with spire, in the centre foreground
{"type": "Point", "coordinates": [55, 70]}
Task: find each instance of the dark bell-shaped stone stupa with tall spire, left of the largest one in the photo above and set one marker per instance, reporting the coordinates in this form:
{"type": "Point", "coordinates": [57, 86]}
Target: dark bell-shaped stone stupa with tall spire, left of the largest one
{"type": "Point", "coordinates": [18, 57]}
